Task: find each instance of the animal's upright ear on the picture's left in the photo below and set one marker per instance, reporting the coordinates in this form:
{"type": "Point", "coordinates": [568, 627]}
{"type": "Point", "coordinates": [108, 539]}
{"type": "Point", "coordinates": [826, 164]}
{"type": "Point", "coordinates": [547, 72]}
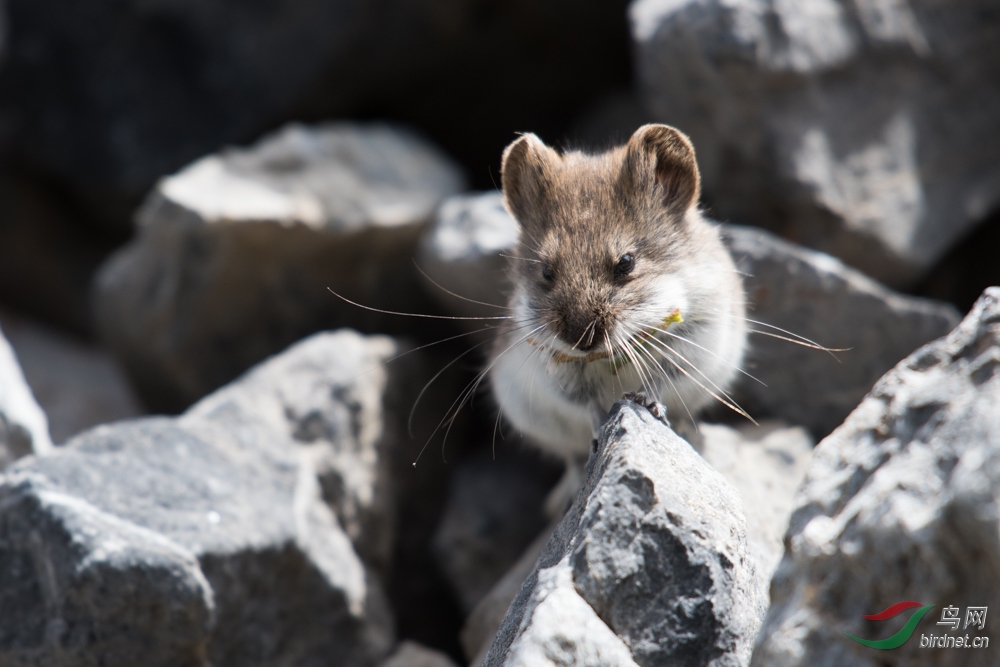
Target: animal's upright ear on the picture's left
{"type": "Point", "coordinates": [526, 174]}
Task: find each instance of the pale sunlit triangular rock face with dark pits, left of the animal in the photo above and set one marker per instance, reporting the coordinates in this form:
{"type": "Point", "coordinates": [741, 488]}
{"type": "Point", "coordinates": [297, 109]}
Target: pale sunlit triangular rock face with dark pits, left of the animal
{"type": "Point", "coordinates": [334, 398]}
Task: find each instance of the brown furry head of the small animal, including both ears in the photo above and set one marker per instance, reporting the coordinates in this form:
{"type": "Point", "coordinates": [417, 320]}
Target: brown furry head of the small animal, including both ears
{"type": "Point", "coordinates": [582, 217]}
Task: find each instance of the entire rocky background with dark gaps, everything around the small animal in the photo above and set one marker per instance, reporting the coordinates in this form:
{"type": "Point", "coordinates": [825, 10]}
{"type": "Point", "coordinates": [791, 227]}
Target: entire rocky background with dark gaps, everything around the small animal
{"type": "Point", "coordinates": [210, 456]}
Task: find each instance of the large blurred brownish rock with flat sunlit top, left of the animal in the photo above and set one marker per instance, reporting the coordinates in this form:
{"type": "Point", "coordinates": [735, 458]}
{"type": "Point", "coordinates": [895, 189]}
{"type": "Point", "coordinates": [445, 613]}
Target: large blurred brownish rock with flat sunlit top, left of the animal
{"type": "Point", "coordinates": [235, 253]}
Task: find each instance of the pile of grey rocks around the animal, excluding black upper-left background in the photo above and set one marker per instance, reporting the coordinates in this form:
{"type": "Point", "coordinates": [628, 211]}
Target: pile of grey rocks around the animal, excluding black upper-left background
{"type": "Point", "coordinates": [317, 497]}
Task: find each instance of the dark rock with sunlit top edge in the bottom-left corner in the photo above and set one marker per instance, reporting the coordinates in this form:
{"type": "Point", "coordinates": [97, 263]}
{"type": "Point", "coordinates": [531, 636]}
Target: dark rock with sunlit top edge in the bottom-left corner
{"type": "Point", "coordinates": [81, 587]}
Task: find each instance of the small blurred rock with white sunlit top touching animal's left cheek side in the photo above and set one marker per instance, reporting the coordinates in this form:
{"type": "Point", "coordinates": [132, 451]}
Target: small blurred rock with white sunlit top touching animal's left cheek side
{"type": "Point", "coordinates": [462, 253]}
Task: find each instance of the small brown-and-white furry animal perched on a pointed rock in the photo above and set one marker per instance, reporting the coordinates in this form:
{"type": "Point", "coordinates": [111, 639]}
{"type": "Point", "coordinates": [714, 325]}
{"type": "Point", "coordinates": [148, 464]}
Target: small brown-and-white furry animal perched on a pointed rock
{"type": "Point", "coordinates": [619, 285]}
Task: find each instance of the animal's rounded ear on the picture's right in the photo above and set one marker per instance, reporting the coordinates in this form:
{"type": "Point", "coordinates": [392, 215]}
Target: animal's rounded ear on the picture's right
{"type": "Point", "coordinates": [659, 160]}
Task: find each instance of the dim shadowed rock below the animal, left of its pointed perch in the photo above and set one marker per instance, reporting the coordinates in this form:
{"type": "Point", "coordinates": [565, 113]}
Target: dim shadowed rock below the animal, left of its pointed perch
{"type": "Point", "coordinates": [494, 511]}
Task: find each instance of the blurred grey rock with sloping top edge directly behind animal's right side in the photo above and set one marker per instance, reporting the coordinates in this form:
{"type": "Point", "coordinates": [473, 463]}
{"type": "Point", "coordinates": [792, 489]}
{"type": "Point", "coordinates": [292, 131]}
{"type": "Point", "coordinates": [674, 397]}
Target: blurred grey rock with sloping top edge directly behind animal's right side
{"type": "Point", "coordinates": [817, 297]}
